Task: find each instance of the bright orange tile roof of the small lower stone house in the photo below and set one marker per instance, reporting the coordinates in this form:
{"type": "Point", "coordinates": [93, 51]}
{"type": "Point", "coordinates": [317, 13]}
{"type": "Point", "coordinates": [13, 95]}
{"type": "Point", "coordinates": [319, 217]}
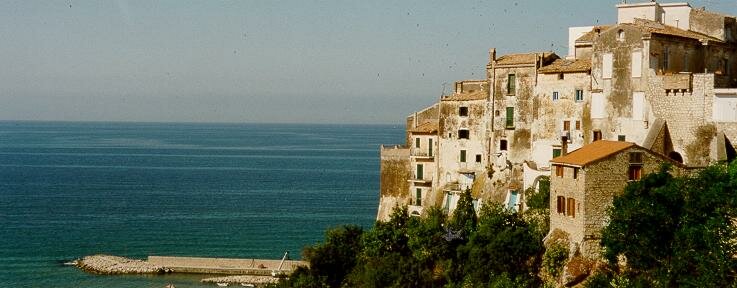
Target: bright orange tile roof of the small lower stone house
{"type": "Point", "coordinates": [597, 150]}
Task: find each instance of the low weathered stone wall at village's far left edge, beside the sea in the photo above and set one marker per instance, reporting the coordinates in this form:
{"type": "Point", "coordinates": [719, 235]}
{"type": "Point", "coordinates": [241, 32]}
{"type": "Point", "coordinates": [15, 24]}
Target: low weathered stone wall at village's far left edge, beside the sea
{"type": "Point", "coordinates": [394, 173]}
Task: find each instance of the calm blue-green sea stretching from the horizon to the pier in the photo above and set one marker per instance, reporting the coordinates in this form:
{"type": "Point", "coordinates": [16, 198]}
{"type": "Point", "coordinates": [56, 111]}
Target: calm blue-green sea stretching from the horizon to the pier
{"type": "Point", "coordinates": [70, 189]}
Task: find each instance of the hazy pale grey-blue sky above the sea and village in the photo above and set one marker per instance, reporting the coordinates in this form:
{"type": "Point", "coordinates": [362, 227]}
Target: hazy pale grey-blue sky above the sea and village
{"type": "Point", "coordinates": [265, 61]}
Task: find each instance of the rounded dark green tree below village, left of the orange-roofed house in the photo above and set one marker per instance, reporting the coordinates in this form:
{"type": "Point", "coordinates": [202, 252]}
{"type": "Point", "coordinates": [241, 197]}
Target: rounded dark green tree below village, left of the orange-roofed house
{"type": "Point", "coordinates": [504, 244]}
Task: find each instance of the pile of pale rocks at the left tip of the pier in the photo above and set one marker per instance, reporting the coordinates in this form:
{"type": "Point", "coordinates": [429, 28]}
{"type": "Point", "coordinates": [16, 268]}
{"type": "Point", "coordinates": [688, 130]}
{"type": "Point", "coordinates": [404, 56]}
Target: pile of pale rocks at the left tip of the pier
{"type": "Point", "coordinates": [107, 264]}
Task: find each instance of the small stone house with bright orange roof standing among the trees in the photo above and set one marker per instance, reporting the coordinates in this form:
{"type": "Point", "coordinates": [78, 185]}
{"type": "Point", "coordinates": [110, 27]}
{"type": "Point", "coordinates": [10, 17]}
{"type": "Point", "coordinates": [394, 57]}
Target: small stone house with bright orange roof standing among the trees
{"type": "Point", "coordinates": [584, 183]}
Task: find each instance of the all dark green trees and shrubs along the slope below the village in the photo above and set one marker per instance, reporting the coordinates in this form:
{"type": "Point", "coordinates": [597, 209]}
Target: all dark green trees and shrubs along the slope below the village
{"type": "Point", "coordinates": [664, 231]}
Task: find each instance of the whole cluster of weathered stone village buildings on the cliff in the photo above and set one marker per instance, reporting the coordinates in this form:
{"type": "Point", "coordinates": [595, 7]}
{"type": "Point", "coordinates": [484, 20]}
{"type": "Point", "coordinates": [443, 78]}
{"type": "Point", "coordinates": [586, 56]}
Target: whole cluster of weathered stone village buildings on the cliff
{"type": "Point", "coordinates": [660, 85]}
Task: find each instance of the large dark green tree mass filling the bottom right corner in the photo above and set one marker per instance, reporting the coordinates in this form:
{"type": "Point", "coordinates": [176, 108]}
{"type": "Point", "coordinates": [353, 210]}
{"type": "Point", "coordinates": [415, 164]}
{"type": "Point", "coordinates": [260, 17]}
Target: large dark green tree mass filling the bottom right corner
{"type": "Point", "coordinates": [677, 231]}
